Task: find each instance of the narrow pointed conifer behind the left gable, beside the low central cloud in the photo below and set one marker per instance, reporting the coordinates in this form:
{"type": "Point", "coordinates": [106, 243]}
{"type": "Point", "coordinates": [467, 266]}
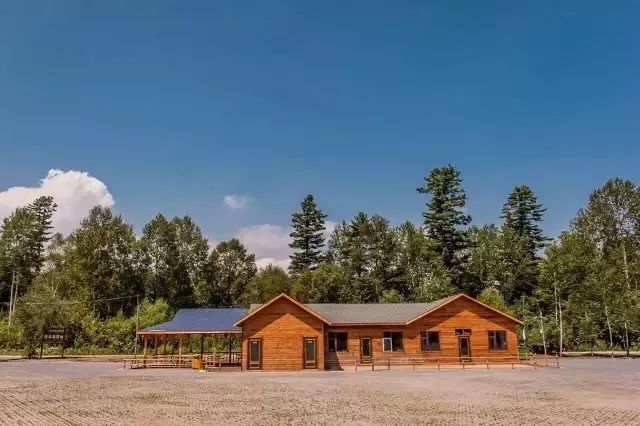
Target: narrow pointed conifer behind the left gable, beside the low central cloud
{"type": "Point", "coordinates": [308, 240]}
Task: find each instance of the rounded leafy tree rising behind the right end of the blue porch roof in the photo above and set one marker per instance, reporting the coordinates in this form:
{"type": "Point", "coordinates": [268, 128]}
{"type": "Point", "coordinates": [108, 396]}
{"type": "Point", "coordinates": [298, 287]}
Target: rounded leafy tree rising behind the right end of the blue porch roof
{"type": "Point", "coordinates": [229, 270]}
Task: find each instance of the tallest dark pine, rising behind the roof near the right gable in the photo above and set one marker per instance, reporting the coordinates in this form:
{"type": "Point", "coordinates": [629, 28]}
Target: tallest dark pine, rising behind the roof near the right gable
{"type": "Point", "coordinates": [444, 215]}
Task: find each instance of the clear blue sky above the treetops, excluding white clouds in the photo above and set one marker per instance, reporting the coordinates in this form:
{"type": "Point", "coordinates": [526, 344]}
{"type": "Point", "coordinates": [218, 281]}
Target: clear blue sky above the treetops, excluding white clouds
{"type": "Point", "coordinates": [174, 105]}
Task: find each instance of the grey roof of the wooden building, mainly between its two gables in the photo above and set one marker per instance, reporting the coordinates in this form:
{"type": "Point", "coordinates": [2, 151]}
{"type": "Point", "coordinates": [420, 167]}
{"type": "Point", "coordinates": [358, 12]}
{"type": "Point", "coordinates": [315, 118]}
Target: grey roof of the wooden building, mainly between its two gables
{"type": "Point", "coordinates": [369, 313]}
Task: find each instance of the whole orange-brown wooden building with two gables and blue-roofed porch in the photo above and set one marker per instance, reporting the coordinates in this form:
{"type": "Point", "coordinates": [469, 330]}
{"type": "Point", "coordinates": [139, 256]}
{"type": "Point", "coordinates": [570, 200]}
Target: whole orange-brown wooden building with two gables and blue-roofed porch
{"type": "Point", "coordinates": [284, 334]}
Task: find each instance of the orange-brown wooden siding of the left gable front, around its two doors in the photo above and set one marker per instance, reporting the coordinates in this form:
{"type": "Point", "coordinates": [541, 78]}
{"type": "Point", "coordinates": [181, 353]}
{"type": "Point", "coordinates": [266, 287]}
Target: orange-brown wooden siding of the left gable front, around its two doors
{"type": "Point", "coordinates": [282, 326]}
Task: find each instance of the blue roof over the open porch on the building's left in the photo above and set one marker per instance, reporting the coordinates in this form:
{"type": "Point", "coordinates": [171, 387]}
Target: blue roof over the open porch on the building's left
{"type": "Point", "coordinates": [201, 320]}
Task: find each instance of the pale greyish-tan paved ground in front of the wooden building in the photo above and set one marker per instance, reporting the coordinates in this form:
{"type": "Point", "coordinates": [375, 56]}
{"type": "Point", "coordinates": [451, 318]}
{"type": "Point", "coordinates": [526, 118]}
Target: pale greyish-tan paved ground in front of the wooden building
{"type": "Point", "coordinates": [583, 391]}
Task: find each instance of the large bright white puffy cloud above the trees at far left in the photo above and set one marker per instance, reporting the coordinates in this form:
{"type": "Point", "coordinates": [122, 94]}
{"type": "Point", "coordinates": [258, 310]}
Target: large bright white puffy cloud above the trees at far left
{"type": "Point", "coordinates": [74, 192]}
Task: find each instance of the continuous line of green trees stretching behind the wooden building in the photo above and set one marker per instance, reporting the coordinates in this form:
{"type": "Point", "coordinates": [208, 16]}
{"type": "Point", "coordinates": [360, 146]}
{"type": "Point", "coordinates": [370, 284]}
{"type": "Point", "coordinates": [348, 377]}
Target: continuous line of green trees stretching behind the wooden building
{"type": "Point", "coordinates": [577, 291]}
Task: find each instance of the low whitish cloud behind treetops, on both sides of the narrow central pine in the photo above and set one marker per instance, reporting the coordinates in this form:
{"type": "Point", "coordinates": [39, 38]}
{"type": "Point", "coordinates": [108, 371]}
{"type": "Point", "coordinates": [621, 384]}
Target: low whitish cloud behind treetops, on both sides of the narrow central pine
{"type": "Point", "coordinates": [270, 243]}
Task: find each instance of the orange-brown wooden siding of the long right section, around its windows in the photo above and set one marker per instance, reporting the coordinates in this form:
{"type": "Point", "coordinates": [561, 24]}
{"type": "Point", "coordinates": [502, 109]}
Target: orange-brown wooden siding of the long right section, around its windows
{"type": "Point", "coordinates": [461, 313]}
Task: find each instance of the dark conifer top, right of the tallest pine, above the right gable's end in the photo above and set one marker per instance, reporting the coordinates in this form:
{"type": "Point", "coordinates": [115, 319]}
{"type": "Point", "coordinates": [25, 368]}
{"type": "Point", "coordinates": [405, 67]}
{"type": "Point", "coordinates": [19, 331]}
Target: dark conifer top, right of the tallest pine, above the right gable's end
{"type": "Point", "coordinates": [522, 212]}
